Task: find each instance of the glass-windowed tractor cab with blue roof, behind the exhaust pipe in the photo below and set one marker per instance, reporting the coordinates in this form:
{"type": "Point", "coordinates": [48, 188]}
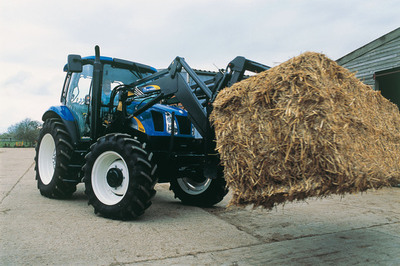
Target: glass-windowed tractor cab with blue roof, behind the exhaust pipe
{"type": "Point", "coordinates": [78, 88]}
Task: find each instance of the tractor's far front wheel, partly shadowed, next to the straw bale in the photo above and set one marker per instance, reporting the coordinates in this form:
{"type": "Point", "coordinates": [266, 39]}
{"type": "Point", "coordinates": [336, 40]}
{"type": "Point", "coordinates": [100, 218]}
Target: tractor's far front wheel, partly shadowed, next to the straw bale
{"type": "Point", "coordinates": [198, 190]}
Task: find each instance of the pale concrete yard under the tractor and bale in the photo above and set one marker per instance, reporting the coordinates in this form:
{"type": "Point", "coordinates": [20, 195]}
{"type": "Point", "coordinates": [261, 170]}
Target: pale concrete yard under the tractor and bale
{"type": "Point", "coordinates": [362, 229]}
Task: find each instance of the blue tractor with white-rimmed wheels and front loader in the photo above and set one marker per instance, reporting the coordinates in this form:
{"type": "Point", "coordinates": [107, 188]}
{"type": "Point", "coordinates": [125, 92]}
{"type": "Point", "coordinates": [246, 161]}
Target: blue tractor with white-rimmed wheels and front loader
{"type": "Point", "coordinates": [124, 126]}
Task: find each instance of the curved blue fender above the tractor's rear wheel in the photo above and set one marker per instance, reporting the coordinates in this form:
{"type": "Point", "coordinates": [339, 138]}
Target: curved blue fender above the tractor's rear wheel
{"type": "Point", "coordinates": [67, 118]}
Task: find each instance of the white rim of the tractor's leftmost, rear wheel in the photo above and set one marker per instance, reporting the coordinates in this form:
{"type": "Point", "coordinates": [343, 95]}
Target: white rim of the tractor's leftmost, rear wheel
{"type": "Point", "coordinates": [47, 158]}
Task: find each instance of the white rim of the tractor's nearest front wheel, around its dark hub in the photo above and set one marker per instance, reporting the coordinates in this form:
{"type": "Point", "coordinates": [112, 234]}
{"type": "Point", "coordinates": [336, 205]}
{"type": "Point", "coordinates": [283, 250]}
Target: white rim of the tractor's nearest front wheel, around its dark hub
{"type": "Point", "coordinates": [104, 192]}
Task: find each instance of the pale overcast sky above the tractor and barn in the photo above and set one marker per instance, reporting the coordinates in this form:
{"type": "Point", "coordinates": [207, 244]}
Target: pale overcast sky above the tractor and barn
{"type": "Point", "coordinates": [37, 36]}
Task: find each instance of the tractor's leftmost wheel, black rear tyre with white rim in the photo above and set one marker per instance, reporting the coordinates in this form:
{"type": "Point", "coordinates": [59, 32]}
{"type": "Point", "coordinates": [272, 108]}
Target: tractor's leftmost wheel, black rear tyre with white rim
{"type": "Point", "coordinates": [53, 155]}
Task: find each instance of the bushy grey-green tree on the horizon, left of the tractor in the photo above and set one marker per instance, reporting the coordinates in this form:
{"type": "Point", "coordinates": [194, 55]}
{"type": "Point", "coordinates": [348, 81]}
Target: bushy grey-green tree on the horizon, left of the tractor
{"type": "Point", "coordinates": [26, 130]}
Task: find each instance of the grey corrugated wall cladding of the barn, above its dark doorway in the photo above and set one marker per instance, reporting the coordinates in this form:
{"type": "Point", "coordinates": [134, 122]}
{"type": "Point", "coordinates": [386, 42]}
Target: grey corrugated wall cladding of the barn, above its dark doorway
{"type": "Point", "coordinates": [383, 57]}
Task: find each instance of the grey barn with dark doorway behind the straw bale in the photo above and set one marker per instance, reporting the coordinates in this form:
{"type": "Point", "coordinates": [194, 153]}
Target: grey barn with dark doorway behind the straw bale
{"type": "Point", "coordinates": [378, 64]}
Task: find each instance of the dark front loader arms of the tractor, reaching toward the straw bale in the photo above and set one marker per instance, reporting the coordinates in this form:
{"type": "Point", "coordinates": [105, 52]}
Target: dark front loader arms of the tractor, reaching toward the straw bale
{"type": "Point", "coordinates": [172, 83]}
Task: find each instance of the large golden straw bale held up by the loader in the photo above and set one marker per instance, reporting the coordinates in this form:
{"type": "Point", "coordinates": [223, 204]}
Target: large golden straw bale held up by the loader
{"type": "Point", "coordinates": [307, 127]}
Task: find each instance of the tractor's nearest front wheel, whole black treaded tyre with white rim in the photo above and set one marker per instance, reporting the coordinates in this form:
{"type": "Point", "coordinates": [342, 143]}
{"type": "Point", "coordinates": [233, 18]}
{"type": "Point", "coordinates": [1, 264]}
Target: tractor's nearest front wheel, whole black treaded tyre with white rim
{"type": "Point", "coordinates": [119, 177]}
